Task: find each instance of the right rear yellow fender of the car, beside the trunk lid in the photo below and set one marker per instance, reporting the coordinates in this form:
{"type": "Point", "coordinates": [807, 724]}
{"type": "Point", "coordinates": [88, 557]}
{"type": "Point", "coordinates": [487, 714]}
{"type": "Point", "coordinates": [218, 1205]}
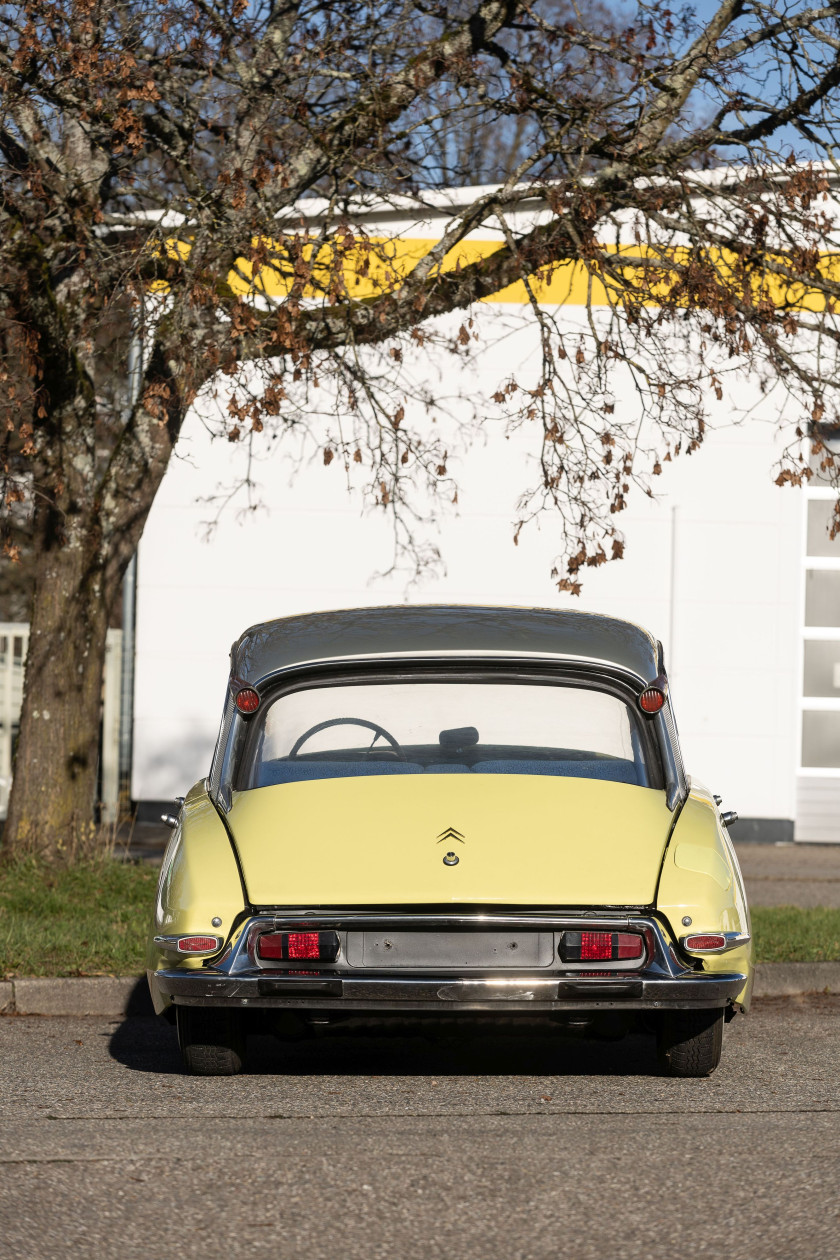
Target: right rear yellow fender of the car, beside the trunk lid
{"type": "Point", "coordinates": [702, 881]}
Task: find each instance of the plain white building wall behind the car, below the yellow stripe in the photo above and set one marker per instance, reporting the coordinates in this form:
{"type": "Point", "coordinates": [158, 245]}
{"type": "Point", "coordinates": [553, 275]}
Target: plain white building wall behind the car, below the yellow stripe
{"type": "Point", "coordinates": [730, 621]}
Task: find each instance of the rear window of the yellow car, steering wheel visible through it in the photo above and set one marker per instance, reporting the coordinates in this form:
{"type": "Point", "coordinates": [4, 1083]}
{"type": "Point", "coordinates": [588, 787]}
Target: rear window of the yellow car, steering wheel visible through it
{"type": "Point", "coordinates": [448, 728]}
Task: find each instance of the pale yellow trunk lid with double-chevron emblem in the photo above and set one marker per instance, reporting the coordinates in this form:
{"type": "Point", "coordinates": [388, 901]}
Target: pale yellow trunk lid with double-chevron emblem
{"type": "Point", "coordinates": [525, 840]}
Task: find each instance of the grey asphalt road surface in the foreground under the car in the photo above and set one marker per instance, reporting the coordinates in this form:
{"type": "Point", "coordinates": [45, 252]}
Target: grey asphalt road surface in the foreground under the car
{"type": "Point", "coordinates": [353, 1147]}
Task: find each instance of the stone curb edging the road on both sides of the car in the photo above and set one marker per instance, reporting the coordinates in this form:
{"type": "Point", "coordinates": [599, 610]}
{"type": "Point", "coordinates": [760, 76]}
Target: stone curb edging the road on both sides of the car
{"type": "Point", "coordinates": [119, 996]}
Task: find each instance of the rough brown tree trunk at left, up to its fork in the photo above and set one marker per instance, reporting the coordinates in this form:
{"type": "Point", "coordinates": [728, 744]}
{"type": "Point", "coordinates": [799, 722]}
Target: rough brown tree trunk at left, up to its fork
{"type": "Point", "coordinates": [89, 521]}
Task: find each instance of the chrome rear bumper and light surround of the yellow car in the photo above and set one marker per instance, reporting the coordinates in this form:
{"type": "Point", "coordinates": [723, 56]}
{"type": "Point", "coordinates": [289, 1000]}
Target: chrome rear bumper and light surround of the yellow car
{"type": "Point", "coordinates": [237, 980]}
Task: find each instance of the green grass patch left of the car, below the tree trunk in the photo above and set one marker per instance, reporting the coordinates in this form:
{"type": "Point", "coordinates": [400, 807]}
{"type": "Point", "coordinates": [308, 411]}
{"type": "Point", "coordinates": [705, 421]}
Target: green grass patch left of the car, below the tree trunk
{"type": "Point", "coordinates": [76, 920]}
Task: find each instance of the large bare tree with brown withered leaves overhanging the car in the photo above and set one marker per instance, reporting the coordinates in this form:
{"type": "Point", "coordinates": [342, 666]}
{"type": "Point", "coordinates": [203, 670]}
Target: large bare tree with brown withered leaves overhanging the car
{"type": "Point", "coordinates": [154, 158]}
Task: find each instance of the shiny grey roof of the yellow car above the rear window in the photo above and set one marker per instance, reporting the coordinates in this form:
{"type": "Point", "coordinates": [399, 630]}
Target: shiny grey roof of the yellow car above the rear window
{"type": "Point", "coordinates": [441, 631]}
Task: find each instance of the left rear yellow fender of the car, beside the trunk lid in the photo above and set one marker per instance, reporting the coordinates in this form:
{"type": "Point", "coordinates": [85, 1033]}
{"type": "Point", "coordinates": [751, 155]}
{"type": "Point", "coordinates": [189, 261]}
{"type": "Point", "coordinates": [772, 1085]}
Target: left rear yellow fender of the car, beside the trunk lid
{"type": "Point", "coordinates": [200, 881]}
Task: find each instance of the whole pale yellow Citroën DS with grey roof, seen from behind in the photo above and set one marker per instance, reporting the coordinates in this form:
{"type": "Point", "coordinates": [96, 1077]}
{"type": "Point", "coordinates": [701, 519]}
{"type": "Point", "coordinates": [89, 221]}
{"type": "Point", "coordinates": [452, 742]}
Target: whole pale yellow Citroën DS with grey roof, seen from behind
{"type": "Point", "coordinates": [424, 813]}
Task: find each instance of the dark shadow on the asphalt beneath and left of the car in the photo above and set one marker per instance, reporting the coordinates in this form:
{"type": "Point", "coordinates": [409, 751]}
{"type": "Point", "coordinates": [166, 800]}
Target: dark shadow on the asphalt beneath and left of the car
{"type": "Point", "coordinates": [150, 1045]}
